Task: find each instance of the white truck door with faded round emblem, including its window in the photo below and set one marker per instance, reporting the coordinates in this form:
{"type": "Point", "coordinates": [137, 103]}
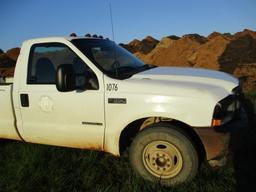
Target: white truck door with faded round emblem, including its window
{"type": "Point", "coordinates": [74, 119]}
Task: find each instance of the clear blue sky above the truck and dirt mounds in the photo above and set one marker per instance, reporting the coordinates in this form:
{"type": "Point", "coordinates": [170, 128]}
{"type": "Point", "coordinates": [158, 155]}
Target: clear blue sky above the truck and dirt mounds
{"type": "Point", "coordinates": [25, 19]}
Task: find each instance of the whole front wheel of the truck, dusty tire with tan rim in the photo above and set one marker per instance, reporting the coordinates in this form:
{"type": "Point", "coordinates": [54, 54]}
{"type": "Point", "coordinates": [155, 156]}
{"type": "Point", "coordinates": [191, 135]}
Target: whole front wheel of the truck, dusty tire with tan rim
{"type": "Point", "coordinates": [164, 154]}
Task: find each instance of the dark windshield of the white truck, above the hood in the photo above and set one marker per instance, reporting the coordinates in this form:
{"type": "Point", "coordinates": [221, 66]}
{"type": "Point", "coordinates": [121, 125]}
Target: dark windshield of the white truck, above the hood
{"type": "Point", "coordinates": [110, 58]}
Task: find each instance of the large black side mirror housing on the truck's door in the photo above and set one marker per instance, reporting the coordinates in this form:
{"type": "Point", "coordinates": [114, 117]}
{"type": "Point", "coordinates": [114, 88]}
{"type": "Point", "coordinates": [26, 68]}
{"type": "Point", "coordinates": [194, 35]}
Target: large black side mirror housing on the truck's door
{"type": "Point", "coordinates": [65, 78]}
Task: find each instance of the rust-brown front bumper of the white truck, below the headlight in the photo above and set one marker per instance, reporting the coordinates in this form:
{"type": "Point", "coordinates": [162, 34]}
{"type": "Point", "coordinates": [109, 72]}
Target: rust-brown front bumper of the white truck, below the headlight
{"type": "Point", "coordinates": [216, 139]}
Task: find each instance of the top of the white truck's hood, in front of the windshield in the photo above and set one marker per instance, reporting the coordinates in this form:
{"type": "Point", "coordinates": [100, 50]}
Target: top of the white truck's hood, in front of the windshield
{"type": "Point", "coordinates": [190, 75]}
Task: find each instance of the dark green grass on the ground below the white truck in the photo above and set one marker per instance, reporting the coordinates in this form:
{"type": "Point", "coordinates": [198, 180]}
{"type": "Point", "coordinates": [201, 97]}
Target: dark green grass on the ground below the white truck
{"type": "Point", "coordinates": [31, 167]}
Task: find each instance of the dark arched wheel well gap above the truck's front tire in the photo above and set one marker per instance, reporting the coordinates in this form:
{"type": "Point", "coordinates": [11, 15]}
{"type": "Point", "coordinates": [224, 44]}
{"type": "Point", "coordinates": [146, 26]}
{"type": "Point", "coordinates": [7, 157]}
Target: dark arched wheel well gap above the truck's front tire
{"type": "Point", "coordinates": [132, 129]}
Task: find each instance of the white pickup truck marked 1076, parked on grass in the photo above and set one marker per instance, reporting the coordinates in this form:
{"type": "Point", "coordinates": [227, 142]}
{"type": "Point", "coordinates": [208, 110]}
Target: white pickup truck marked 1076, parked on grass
{"type": "Point", "coordinates": [89, 93]}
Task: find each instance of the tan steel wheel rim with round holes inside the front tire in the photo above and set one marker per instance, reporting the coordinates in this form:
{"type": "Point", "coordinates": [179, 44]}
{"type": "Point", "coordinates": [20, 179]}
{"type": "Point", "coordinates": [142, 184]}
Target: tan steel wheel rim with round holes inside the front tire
{"type": "Point", "coordinates": [162, 159]}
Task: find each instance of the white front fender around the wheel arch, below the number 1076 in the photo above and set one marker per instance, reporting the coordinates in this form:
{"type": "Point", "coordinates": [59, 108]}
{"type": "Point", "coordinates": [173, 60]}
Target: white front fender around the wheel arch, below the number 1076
{"type": "Point", "coordinates": [190, 111]}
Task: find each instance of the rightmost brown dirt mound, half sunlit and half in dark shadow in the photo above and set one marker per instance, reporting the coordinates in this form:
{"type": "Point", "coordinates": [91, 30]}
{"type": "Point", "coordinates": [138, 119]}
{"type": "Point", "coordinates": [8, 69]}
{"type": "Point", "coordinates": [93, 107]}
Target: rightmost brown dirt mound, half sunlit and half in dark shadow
{"type": "Point", "coordinates": [225, 53]}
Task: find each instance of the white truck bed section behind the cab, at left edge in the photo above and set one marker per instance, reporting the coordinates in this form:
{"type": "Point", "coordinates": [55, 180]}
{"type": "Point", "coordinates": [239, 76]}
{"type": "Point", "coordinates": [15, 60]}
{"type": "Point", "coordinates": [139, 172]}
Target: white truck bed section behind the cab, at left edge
{"type": "Point", "coordinates": [7, 119]}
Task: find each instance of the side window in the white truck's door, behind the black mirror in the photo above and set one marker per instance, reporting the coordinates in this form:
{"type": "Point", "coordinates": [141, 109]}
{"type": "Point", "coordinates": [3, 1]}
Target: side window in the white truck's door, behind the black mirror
{"type": "Point", "coordinates": [46, 57]}
